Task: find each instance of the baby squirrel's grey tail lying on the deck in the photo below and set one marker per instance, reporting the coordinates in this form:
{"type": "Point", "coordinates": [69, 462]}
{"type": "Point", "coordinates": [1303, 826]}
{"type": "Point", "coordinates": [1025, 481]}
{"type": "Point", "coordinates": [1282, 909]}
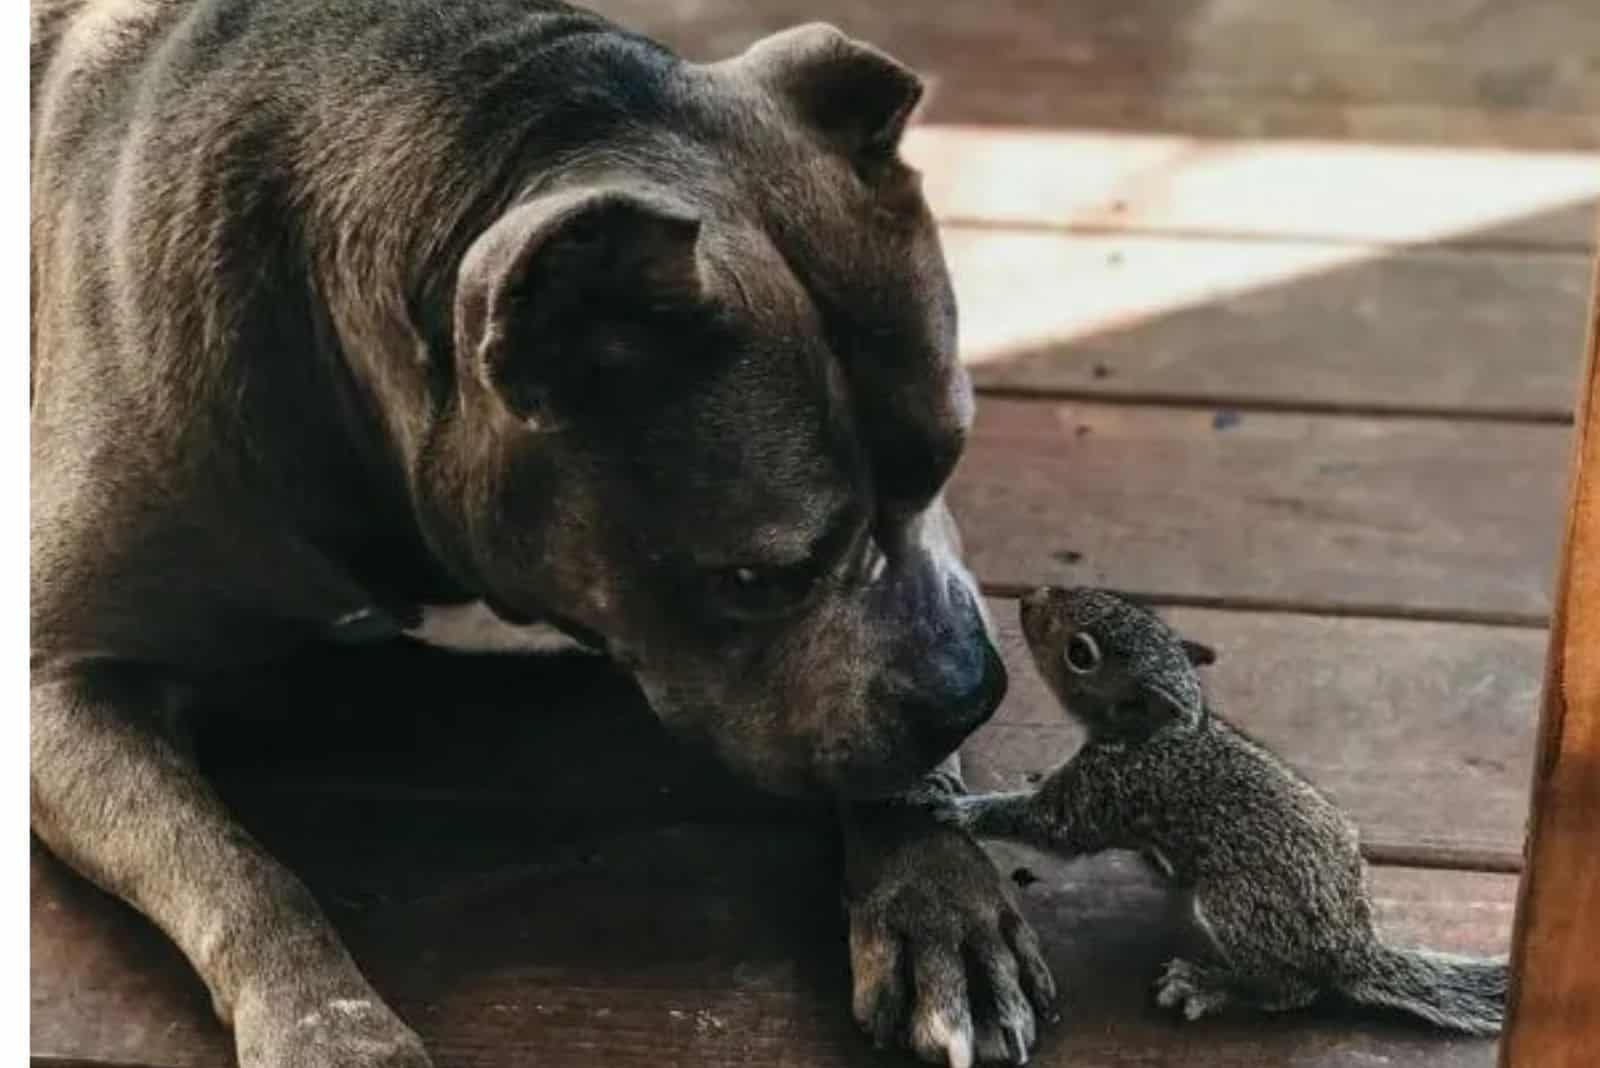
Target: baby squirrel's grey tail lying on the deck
{"type": "Point", "coordinates": [1462, 994]}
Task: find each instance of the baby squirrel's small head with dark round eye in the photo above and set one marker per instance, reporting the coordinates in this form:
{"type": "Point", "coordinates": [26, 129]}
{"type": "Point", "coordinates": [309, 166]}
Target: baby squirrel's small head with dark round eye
{"type": "Point", "coordinates": [1118, 667]}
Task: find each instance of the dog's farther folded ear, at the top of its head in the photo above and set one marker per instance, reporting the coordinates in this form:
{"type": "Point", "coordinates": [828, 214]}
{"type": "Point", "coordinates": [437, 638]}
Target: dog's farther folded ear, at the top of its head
{"type": "Point", "coordinates": [855, 95]}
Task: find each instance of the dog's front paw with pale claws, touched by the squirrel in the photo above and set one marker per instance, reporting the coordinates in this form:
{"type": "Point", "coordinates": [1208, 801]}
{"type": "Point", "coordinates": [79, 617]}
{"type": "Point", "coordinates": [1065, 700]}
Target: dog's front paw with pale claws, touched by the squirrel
{"type": "Point", "coordinates": [940, 955]}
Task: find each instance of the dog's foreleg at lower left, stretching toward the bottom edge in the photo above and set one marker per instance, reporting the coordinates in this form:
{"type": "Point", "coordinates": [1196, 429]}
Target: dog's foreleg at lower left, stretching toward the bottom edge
{"type": "Point", "coordinates": [114, 797]}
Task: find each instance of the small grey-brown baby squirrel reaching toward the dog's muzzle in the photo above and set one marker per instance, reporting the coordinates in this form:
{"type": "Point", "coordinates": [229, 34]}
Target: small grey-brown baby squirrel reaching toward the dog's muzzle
{"type": "Point", "coordinates": [1273, 866]}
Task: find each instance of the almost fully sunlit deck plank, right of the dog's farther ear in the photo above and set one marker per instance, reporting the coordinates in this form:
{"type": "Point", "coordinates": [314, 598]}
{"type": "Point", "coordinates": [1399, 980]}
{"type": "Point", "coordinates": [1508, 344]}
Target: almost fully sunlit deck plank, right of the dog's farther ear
{"type": "Point", "coordinates": [1329, 191]}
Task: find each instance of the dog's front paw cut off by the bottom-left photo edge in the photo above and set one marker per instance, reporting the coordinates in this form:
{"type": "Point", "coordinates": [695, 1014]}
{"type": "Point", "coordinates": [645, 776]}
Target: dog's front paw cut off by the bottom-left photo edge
{"type": "Point", "coordinates": [290, 1030]}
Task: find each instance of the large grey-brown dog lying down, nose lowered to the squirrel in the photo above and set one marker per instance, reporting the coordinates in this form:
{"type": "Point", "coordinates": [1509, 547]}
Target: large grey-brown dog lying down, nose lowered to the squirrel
{"type": "Point", "coordinates": [490, 322]}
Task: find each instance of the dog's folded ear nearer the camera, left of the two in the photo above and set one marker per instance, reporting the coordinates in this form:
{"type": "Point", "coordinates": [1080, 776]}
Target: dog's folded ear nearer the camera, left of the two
{"type": "Point", "coordinates": [554, 261]}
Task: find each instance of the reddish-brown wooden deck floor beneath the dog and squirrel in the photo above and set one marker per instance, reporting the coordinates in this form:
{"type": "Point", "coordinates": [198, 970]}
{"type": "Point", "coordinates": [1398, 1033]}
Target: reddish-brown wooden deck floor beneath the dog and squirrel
{"type": "Point", "coordinates": [1278, 319]}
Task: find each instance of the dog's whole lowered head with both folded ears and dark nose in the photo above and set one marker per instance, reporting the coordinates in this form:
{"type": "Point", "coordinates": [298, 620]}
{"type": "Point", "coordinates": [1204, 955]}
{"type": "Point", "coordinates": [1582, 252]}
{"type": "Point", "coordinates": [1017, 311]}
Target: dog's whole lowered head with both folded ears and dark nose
{"type": "Point", "coordinates": [708, 402]}
